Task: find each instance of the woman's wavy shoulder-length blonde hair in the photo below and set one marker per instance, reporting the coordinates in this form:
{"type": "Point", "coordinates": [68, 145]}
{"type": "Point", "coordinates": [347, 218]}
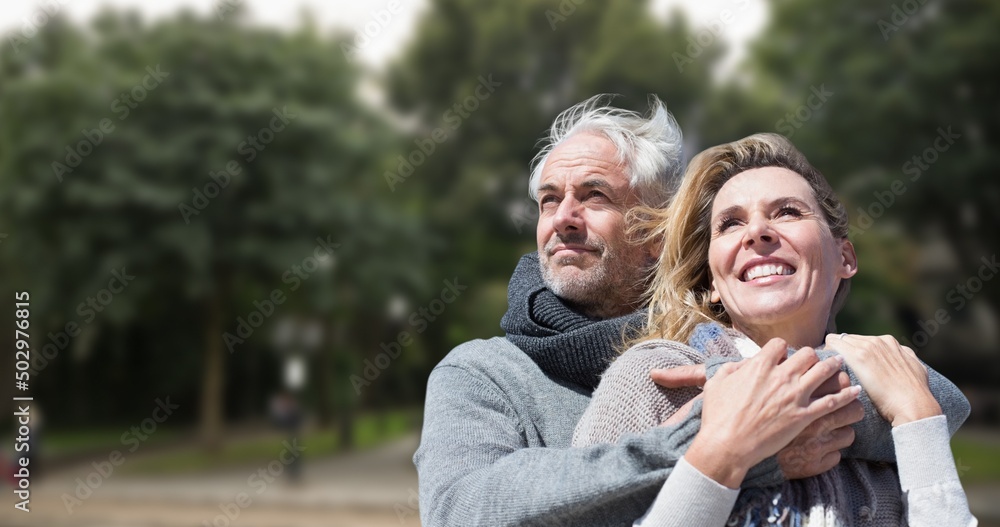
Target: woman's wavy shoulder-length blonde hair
{"type": "Point", "coordinates": [679, 293]}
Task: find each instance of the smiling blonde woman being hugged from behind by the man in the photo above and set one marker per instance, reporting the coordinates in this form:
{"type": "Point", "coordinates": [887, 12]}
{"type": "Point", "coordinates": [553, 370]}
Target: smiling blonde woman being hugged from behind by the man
{"type": "Point", "coordinates": [755, 260]}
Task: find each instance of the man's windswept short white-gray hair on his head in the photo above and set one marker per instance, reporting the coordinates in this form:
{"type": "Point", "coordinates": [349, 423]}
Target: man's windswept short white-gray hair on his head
{"type": "Point", "coordinates": [649, 148]}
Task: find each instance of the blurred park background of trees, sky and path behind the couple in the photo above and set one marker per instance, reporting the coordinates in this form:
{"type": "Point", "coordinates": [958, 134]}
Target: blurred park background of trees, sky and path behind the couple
{"type": "Point", "coordinates": [249, 229]}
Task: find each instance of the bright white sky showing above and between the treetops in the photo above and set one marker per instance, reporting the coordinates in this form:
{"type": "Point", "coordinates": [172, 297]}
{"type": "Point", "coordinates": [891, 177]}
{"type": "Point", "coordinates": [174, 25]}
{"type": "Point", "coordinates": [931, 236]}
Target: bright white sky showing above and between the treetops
{"type": "Point", "coordinates": [396, 28]}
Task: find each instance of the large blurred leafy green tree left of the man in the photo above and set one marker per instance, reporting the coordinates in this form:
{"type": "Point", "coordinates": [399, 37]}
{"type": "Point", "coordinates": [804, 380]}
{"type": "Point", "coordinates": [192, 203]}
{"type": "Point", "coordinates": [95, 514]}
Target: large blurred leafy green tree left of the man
{"type": "Point", "coordinates": [211, 161]}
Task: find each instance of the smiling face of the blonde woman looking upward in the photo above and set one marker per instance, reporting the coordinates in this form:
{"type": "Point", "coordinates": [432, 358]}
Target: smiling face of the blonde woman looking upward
{"type": "Point", "coordinates": [773, 260]}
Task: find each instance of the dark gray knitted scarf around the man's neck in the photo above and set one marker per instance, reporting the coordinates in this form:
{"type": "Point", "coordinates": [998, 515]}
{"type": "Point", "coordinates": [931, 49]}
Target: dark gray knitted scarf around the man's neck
{"type": "Point", "coordinates": [565, 344]}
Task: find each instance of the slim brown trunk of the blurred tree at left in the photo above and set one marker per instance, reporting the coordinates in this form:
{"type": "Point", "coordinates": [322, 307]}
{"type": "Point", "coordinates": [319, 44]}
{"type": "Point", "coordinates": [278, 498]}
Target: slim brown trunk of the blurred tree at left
{"type": "Point", "coordinates": [213, 377]}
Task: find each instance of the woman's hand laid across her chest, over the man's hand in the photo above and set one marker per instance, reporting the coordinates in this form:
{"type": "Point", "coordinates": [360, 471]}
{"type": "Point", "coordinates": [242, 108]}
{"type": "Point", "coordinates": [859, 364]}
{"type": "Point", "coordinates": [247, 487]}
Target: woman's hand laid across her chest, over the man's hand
{"type": "Point", "coordinates": [753, 410]}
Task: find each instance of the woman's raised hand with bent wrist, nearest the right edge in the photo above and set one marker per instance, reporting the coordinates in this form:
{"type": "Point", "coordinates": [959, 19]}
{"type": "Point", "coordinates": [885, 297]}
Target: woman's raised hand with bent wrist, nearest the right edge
{"type": "Point", "coordinates": [896, 381]}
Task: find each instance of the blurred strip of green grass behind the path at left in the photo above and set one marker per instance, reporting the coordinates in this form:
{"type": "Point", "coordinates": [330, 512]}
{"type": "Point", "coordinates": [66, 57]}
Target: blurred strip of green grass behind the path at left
{"type": "Point", "coordinates": [369, 430]}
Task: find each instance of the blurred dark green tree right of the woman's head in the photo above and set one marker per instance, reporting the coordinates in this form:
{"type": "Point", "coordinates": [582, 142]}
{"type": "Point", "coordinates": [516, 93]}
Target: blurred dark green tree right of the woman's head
{"type": "Point", "coordinates": [897, 107]}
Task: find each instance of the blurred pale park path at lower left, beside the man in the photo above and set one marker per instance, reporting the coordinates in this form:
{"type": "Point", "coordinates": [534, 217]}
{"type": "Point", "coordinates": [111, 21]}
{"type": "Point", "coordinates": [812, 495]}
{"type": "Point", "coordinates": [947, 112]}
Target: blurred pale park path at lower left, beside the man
{"type": "Point", "coordinates": [376, 487]}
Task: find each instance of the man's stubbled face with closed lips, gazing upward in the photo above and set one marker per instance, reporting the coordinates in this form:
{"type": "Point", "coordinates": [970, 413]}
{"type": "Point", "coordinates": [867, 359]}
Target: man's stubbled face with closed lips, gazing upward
{"type": "Point", "coordinates": [583, 197]}
